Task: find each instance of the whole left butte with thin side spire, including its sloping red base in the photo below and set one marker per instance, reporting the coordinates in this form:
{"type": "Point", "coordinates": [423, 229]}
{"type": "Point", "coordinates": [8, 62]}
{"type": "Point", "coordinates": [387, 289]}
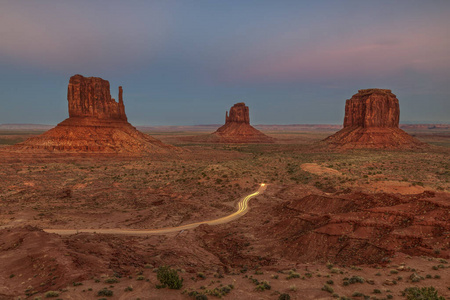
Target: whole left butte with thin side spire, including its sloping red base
{"type": "Point", "coordinates": [96, 124]}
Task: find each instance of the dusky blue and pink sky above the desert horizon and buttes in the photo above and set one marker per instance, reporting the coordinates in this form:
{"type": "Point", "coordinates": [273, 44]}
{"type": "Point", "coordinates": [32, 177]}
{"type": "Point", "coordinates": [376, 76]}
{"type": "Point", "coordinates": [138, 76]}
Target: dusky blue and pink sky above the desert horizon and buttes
{"type": "Point", "coordinates": [187, 62]}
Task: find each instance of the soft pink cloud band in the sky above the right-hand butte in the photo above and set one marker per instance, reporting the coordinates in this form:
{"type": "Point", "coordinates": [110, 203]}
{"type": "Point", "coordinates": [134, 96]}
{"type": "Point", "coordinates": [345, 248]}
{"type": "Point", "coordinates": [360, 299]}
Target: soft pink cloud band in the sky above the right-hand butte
{"type": "Point", "coordinates": [384, 54]}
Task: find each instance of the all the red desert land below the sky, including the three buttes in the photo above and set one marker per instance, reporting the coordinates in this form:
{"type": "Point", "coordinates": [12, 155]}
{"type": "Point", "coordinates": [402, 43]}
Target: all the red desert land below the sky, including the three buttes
{"type": "Point", "coordinates": [358, 214]}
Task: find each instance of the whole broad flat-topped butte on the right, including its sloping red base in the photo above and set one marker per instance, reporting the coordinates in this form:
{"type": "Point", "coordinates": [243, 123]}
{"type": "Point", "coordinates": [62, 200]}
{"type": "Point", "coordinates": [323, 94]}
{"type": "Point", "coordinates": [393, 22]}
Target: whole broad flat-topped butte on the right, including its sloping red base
{"type": "Point", "coordinates": [371, 121]}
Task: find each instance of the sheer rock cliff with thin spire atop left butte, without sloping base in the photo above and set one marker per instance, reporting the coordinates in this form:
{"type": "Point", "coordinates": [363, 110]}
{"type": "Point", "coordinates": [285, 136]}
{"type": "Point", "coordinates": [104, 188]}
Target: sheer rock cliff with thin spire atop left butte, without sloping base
{"type": "Point", "coordinates": [90, 97]}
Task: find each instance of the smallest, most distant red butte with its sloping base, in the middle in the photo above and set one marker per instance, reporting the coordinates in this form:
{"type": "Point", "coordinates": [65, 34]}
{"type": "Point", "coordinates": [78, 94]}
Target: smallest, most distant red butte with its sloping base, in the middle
{"type": "Point", "coordinates": [237, 128]}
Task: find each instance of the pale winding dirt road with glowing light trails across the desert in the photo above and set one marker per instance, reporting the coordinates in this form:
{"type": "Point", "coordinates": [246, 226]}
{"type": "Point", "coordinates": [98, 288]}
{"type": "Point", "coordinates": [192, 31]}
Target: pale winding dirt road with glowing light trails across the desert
{"type": "Point", "coordinates": [242, 210]}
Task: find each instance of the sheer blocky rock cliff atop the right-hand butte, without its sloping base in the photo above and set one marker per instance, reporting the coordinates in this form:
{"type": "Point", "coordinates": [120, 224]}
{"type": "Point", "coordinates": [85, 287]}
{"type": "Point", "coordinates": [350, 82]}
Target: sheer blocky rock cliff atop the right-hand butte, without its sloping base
{"type": "Point", "coordinates": [372, 108]}
